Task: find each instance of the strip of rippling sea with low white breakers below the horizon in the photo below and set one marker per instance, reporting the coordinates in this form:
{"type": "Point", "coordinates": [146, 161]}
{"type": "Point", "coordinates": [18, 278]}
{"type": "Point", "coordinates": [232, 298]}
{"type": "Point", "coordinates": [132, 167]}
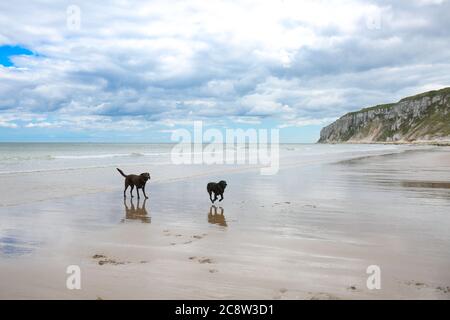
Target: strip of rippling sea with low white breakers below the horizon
{"type": "Point", "coordinates": [35, 157]}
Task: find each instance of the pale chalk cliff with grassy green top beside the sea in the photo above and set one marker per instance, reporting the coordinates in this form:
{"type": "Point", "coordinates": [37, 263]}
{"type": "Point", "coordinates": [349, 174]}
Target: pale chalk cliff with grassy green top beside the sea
{"type": "Point", "coordinates": [424, 117]}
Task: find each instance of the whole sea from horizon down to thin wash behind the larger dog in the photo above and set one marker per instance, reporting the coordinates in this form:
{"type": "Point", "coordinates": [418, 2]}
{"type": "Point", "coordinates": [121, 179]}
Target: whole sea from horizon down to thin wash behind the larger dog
{"type": "Point", "coordinates": [38, 172]}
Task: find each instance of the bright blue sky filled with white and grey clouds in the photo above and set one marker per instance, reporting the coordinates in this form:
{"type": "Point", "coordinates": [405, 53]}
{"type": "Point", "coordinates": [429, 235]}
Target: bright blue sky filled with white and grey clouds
{"type": "Point", "coordinates": [134, 71]}
